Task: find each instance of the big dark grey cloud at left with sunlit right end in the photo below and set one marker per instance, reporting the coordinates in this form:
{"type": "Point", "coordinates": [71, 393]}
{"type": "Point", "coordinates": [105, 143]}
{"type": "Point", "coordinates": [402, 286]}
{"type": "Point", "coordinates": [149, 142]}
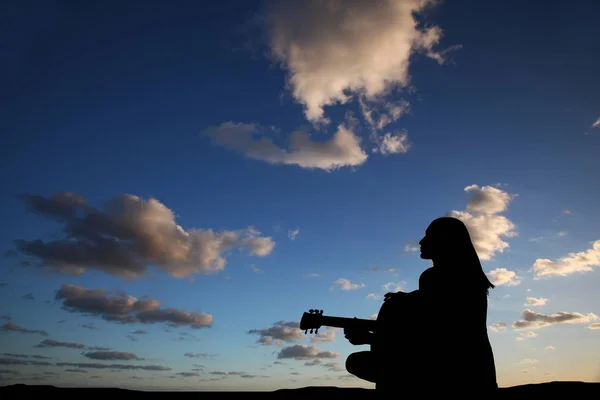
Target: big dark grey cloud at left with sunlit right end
{"type": "Point", "coordinates": [128, 235]}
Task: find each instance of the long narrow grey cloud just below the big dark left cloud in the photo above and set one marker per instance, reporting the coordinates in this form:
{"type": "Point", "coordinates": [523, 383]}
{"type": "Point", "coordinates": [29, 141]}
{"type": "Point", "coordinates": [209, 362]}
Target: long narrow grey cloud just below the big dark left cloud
{"type": "Point", "coordinates": [127, 309]}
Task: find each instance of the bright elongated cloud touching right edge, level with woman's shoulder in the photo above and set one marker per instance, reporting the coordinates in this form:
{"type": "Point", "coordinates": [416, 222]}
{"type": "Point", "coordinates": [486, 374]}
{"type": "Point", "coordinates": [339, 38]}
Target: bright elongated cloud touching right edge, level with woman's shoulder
{"type": "Point", "coordinates": [569, 264]}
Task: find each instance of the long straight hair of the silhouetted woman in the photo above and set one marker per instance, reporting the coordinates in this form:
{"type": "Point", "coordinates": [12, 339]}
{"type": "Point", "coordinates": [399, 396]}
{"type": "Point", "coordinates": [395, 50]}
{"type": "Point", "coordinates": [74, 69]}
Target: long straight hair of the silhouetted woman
{"type": "Point", "coordinates": [456, 255]}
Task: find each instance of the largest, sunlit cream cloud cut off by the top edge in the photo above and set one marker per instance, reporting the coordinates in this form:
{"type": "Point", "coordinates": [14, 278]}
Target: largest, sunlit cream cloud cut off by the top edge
{"type": "Point", "coordinates": [335, 49]}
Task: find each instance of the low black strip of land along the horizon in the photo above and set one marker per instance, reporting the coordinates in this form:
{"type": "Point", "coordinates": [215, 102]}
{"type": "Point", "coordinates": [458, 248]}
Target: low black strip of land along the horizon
{"type": "Point", "coordinates": [549, 390]}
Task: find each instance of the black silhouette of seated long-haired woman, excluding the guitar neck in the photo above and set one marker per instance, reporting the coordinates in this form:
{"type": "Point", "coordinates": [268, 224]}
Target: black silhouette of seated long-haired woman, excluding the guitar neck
{"type": "Point", "coordinates": [433, 339]}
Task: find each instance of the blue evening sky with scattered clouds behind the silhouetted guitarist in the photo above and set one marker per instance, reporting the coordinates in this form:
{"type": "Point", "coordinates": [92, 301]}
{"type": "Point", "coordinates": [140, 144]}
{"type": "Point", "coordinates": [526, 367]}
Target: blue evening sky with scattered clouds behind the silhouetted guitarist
{"type": "Point", "coordinates": [182, 180]}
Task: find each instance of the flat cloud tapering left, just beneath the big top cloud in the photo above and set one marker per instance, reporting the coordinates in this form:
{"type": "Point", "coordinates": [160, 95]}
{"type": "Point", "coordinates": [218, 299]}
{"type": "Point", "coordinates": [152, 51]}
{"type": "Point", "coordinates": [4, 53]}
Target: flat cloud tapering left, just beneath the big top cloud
{"type": "Point", "coordinates": [341, 150]}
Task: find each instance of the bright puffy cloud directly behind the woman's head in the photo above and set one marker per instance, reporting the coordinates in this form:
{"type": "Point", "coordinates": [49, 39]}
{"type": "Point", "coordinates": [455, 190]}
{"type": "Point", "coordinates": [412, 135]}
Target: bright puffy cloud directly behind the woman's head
{"type": "Point", "coordinates": [487, 227]}
